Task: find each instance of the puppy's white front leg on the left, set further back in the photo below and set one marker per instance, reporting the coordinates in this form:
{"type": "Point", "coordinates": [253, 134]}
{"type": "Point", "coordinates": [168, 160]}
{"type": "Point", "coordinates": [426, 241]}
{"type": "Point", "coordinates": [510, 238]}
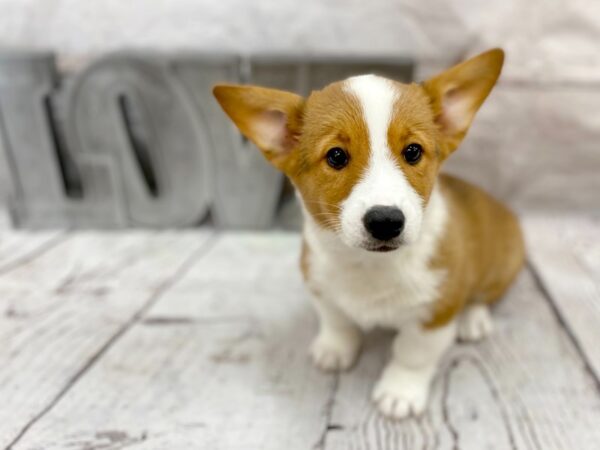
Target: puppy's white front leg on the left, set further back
{"type": "Point", "coordinates": [338, 342]}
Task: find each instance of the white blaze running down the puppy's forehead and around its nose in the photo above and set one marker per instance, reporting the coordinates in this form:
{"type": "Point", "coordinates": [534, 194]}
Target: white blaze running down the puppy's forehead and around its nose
{"type": "Point", "coordinates": [382, 181]}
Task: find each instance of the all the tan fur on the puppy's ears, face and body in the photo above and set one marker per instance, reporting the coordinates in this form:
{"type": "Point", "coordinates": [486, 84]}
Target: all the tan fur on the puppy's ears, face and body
{"type": "Point", "coordinates": [481, 249]}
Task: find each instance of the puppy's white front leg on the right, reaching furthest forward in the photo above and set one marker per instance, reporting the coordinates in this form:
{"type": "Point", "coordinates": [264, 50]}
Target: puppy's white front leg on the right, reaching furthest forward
{"type": "Point", "coordinates": [404, 386]}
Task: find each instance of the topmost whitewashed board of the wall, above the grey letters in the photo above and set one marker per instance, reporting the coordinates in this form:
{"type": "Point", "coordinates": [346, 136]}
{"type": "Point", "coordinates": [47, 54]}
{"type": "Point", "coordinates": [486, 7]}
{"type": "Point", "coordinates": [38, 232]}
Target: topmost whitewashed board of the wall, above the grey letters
{"type": "Point", "coordinates": [549, 40]}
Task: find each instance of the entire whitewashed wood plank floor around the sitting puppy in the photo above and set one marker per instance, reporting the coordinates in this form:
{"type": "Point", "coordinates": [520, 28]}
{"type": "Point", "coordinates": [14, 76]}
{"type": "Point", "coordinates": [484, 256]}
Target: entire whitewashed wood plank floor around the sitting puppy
{"type": "Point", "coordinates": [197, 340]}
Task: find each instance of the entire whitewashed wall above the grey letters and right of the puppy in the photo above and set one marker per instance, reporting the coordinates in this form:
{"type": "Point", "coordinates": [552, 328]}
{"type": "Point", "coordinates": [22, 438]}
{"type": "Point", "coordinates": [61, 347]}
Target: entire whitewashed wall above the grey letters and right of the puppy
{"type": "Point", "coordinates": [535, 143]}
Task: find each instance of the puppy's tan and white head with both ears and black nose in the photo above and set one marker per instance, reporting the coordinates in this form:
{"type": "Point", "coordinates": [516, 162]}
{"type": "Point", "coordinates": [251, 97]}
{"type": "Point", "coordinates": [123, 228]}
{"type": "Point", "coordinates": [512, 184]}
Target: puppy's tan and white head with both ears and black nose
{"type": "Point", "coordinates": [364, 152]}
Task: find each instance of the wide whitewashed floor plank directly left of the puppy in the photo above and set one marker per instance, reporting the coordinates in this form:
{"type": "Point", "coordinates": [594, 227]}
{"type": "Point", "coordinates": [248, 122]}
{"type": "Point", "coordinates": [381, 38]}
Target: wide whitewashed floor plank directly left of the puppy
{"type": "Point", "coordinates": [219, 363]}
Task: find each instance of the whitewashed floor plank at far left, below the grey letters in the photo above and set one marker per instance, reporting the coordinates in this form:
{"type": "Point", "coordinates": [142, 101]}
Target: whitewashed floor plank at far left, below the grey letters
{"type": "Point", "coordinates": [62, 310]}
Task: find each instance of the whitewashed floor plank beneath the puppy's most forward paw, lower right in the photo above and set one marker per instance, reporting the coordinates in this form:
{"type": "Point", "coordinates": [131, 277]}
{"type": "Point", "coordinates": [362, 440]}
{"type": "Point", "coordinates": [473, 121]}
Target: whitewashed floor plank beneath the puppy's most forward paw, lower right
{"type": "Point", "coordinates": [523, 388]}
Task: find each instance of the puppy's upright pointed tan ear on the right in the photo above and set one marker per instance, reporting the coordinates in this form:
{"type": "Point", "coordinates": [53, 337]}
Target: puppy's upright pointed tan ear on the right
{"type": "Point", "coordinates": [457, 93]}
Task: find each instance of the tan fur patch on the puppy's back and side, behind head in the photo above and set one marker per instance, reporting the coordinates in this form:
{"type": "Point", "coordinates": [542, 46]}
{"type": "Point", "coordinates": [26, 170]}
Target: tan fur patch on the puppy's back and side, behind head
{"type": "Point", "coordinates": [482, 250]}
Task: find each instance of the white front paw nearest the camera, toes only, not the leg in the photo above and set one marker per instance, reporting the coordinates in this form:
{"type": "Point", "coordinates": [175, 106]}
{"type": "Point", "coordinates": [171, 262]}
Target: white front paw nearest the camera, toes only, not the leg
{"type": "Point", "coordinates": [401, 392]}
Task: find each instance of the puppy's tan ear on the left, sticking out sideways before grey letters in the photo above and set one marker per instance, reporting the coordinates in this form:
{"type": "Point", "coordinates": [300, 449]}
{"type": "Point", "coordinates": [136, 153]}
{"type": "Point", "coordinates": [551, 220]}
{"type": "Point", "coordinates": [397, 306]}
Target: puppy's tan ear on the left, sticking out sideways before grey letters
{"type": "Point", "coordinates": [268, 117]}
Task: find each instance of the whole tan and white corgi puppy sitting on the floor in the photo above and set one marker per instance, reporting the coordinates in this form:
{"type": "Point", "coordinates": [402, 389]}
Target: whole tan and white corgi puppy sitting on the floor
{"type": "Point", "coordinates": [388, 241]}
